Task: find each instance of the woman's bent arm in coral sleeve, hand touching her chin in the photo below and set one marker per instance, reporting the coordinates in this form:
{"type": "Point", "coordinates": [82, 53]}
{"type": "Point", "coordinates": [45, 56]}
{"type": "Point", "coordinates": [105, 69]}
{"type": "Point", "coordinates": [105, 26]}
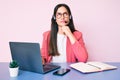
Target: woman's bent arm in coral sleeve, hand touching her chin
{"type": "Point", "coordinates": [77, 44]}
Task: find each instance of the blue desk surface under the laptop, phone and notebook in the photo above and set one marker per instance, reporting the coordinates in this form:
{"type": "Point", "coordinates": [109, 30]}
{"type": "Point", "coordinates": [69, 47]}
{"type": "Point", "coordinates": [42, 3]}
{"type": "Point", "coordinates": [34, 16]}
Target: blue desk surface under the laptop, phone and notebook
{"type": "Point", "coordinates": [72, 75]}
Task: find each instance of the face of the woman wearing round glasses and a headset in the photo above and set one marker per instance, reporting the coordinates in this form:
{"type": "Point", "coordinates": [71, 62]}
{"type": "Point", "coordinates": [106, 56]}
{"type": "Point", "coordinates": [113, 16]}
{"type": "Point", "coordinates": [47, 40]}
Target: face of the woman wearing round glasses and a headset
{"type": "Point", "coordinates": [62, 16]}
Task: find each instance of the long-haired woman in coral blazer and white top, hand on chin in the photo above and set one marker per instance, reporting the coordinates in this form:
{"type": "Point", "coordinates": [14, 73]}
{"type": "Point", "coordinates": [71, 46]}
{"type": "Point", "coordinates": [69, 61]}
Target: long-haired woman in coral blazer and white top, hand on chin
{"type": "Point", "coordinates": [63, 43]}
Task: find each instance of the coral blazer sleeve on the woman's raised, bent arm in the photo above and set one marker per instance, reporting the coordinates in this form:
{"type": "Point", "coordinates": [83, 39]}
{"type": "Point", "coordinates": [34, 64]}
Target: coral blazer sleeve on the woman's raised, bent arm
{"type": "Point", "coordinates": [79, 49]}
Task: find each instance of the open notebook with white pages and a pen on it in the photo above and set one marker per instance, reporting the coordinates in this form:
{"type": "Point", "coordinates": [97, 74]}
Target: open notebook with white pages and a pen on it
{"type": "Point", "coordinates": [92, 66]}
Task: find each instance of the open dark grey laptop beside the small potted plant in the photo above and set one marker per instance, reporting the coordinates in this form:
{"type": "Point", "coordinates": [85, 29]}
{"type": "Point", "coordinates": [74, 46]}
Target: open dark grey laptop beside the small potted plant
{"type": "Point", "coordinates": [28, 56]}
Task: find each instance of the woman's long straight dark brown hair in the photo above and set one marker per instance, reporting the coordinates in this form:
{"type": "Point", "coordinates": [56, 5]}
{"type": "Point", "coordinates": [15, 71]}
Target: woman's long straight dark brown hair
{"type": "Point", "coordinates": [53, 50]}
